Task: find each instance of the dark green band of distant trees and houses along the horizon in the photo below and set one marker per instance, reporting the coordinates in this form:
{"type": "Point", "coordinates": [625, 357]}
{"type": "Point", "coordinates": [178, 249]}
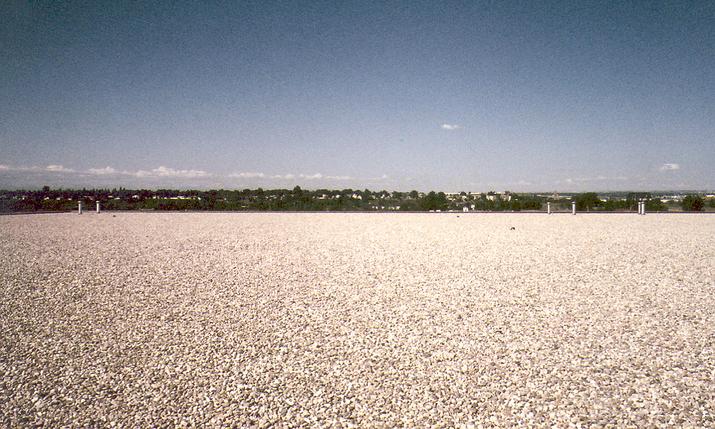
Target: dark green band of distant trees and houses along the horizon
{"type": "Point", "coordinates": [298, 199]}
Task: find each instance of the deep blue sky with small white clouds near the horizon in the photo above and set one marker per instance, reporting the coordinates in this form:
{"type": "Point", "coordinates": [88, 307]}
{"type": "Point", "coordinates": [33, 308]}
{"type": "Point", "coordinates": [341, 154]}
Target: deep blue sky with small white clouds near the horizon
{"type": "Point", "coordinates": [452, 96]}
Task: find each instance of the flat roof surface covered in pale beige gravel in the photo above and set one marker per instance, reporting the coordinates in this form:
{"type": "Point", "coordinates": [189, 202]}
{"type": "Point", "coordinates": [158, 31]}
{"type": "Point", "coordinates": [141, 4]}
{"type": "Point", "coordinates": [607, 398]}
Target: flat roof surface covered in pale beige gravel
{"type": "Point", "coordinates": [365, 320]}
